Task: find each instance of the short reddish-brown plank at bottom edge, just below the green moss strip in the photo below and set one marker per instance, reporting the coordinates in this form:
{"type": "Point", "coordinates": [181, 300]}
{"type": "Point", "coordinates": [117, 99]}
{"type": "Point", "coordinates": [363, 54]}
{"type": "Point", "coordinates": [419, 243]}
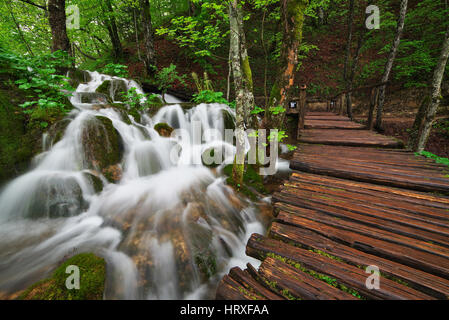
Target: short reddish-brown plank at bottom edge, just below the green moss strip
{"type": "Point", "coordinates": [298, 284]}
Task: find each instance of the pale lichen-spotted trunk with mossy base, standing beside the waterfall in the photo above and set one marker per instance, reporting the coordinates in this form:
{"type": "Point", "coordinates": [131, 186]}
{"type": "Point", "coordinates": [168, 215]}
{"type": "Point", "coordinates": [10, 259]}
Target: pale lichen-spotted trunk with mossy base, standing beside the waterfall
{"type": "Point", "coordinates": [239, 161]}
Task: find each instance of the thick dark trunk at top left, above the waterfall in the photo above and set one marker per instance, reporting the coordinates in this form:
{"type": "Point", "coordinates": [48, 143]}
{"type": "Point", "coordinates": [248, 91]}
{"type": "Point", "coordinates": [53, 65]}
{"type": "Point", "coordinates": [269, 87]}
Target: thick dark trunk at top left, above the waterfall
{"type": "Point", "coordinates": [57, 20]}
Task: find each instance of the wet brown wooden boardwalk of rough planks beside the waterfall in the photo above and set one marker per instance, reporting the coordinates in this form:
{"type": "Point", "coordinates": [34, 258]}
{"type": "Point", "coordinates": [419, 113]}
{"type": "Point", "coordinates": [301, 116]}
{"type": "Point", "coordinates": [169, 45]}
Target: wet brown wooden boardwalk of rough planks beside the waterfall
{"type": "Point", "coordinates": [347, 207]}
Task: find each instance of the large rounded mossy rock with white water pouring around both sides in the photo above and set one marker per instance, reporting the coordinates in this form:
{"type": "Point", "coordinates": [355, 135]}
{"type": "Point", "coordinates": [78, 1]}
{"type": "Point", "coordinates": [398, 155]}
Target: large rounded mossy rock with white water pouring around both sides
{"type": "Point", "coordinates": [103, 147]}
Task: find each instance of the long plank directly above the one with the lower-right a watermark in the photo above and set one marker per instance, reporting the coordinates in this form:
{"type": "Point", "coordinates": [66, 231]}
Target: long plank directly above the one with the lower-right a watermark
{"type": "Point", "coordinates": [430, 284]}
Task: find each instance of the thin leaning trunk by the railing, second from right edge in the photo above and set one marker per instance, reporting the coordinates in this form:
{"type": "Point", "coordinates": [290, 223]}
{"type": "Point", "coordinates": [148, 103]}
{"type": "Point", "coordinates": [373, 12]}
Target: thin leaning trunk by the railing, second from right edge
{"type": "Point", "coordinates": [390, 61]}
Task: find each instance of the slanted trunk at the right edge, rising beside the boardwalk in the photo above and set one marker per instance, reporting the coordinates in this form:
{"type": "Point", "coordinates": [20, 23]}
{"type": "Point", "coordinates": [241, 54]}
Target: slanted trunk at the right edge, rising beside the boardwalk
{"type": "Point", "coordinates": [434, 102]}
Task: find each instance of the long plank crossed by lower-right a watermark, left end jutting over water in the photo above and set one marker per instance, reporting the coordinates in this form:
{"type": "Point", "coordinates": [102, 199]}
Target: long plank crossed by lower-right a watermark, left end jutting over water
{"type": "Point", "coordinates": [345, 274]}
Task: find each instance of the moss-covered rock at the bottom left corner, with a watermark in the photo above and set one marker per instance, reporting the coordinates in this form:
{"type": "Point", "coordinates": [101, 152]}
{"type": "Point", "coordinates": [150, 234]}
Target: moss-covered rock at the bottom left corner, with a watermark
{"type": "Point", "coordinates": [92, 281]}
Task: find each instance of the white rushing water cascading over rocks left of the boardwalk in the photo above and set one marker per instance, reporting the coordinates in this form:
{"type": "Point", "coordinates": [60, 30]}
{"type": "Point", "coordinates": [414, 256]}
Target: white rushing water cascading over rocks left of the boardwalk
{"type": "Point", "coordinates": [163, 228]}
